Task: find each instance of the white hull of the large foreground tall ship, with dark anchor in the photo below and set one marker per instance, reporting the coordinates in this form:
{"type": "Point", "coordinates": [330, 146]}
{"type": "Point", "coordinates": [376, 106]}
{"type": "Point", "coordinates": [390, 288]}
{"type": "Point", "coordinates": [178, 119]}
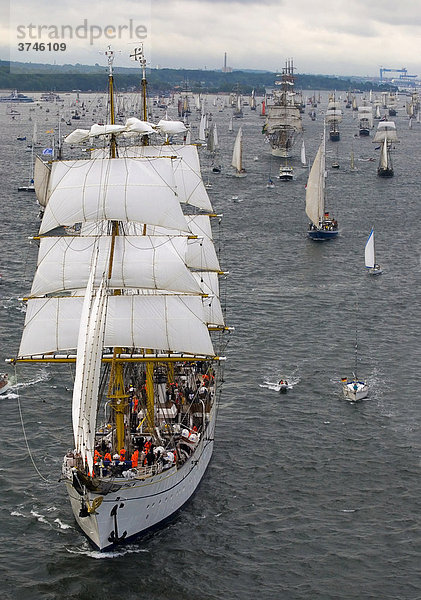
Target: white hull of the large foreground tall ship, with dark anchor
{"type": "Point", "coordinates": [141, 505]}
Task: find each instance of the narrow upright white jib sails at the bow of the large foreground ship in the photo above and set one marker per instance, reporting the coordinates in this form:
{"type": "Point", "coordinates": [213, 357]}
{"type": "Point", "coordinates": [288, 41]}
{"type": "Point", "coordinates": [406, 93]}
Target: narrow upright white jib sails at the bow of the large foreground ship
{"type": "Point", "coordinates": [88, 369]}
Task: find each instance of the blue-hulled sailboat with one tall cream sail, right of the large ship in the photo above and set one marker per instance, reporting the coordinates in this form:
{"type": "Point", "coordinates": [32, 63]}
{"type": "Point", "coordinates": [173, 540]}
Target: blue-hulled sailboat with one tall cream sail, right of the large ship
{"type": "Point", "coordinates": [322, 226]}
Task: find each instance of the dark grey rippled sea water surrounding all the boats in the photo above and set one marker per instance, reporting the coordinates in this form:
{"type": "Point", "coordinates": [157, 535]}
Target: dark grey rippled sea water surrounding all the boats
{"type": "Point", "coordinates": [307, 496]}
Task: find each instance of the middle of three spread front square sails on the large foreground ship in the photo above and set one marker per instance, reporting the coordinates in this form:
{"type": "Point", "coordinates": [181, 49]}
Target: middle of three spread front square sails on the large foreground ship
{"type": "Point", "coordinates": [64, 263]}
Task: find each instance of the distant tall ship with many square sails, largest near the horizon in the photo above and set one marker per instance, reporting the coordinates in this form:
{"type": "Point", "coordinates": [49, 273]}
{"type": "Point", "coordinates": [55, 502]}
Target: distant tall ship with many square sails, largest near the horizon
{"type": "Point", "coordinates": [283, 120]}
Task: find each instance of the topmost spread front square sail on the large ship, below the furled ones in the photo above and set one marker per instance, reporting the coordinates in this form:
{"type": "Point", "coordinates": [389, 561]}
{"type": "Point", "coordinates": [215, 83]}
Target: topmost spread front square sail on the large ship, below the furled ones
{"type": "Point", "coordinates": [119, 189]}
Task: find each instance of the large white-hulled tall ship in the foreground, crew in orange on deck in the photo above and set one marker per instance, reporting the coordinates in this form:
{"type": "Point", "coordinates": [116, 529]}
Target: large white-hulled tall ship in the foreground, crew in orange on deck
{"type": "Point", "coordinates": [133, 303]}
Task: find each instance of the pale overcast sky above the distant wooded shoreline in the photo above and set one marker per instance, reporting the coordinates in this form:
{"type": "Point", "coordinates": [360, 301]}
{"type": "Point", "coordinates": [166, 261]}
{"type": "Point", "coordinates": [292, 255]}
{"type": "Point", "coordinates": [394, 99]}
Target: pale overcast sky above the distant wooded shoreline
{"type": "Point", "coordinates": [344, 37]}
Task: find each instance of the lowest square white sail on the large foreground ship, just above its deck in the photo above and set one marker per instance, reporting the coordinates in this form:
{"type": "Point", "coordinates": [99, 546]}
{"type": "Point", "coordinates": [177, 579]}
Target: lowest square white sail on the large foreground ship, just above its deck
{"type": "Point", "coordinates": [164, 323]}
